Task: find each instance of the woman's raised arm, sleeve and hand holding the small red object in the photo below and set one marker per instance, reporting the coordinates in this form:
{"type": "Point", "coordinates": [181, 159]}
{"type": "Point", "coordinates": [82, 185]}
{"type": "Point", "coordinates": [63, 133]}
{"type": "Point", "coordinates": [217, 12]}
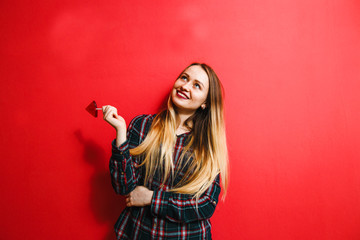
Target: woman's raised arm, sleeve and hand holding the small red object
{"type": "Point", "coordinates": [123, 170]}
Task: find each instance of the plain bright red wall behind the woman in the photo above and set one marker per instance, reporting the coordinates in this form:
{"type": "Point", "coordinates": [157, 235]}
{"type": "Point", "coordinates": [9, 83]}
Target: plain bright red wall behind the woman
{"type": "Point", "coordinates": [291, 75]}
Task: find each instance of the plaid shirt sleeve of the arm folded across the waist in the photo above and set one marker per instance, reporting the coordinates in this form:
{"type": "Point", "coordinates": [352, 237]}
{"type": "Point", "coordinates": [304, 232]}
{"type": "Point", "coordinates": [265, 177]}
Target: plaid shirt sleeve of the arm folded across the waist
{"type": "Point", "coordinates": [178, 207]}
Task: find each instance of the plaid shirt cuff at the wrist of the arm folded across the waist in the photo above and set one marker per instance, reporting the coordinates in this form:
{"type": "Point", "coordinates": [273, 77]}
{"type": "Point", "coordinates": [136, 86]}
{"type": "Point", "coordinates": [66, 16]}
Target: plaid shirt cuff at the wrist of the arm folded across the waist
{"type": "Point", "coordinates": [160, 202]}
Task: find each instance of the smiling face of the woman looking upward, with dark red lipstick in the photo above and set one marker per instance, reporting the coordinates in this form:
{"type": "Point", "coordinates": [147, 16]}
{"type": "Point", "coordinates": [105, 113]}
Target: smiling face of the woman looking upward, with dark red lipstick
{"type": "Point", "coordinates": [190, 90]}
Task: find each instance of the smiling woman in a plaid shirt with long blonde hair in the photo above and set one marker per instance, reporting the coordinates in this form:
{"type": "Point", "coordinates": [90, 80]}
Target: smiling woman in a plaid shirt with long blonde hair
{"type": "Point", "coordinates": [168, 165]}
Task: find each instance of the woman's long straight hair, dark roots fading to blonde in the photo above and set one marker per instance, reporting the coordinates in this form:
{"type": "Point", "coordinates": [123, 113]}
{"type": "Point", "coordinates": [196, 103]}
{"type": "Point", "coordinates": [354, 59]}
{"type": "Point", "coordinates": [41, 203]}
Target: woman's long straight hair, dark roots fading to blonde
{"type": "Point", "coordinates": [205, 155]}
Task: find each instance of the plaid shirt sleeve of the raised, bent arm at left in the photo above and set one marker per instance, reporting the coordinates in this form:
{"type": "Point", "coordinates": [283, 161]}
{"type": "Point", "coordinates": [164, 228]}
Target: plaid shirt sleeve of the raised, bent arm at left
{"type": "Point", "coordinates": [124, 173]}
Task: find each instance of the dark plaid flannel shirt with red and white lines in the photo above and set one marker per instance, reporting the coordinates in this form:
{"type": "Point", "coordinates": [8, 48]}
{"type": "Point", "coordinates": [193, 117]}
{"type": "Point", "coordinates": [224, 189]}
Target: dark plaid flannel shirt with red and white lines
{"type": "Point", "coordinates": [170, 215]}
